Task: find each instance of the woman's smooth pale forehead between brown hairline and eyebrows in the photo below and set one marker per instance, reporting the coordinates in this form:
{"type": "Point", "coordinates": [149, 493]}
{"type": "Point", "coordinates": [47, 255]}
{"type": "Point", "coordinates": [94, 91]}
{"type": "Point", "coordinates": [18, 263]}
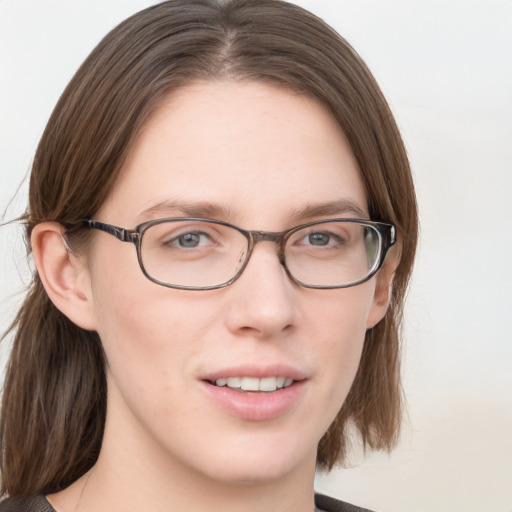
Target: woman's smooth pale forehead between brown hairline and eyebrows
{"type": "Point", "coordinates": [251, 150]}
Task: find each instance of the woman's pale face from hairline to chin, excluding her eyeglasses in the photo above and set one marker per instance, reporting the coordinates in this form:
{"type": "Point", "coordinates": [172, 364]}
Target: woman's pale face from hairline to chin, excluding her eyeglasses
{"type": "Point", "coordinates": [262, 158]}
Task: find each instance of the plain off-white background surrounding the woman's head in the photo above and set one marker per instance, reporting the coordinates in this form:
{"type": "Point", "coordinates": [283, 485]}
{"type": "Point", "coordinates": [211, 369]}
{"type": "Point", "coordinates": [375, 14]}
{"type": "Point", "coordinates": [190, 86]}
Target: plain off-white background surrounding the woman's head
{"type": "Point", "coordinates": [446, 68]}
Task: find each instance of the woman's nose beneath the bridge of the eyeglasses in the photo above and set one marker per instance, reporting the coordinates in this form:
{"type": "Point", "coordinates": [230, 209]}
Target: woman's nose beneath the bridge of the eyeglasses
{"type": "Point", "coordinates": [262, 301]}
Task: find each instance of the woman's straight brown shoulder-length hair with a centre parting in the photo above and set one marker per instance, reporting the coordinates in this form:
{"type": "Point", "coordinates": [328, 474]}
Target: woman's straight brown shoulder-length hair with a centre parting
{"type": "Point", "coordinates": [54, 401]}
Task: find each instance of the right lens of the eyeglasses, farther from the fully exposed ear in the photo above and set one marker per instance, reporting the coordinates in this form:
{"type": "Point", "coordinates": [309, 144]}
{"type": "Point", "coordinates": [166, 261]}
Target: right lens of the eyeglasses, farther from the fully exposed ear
{"type": "Point", "coordinates": [333, 253]}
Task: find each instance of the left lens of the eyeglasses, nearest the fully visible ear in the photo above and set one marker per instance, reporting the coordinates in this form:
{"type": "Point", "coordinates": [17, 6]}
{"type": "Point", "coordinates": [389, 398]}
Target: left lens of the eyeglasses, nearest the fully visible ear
{"type": "Point", "coordinates": [192, 253]}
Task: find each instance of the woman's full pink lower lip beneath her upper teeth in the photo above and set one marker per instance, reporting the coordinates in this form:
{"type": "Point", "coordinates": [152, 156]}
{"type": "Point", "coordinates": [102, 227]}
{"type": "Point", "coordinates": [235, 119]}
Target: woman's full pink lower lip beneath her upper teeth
{"type": "Point", "coordinates": [256, 406]}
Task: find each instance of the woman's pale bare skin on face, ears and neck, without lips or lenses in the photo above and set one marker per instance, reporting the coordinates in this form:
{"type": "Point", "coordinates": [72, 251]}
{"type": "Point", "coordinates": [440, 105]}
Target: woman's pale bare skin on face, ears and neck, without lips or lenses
{"type": "Point", "coordinates": [261, 153]}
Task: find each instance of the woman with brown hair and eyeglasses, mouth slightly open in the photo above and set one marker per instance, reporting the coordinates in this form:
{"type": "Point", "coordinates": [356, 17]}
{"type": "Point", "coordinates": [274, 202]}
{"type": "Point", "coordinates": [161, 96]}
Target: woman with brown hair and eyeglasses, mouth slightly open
{"type": "Point", "coordinates": [223, 223]}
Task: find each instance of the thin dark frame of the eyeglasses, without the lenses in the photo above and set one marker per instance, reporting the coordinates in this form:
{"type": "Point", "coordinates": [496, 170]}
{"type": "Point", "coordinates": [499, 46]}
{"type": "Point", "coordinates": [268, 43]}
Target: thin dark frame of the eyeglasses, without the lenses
{"type": "Point", "coordinates": [386, 232]}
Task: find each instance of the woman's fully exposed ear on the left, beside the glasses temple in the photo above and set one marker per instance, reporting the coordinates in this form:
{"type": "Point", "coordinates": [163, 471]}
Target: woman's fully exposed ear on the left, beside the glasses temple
{"type": "Point", "coordinates": [64, 275]}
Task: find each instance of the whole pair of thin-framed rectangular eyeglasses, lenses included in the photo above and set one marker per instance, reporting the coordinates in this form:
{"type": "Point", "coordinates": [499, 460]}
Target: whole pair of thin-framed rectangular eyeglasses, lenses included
{"type": "Point", "coordinates": [203, 254]}
